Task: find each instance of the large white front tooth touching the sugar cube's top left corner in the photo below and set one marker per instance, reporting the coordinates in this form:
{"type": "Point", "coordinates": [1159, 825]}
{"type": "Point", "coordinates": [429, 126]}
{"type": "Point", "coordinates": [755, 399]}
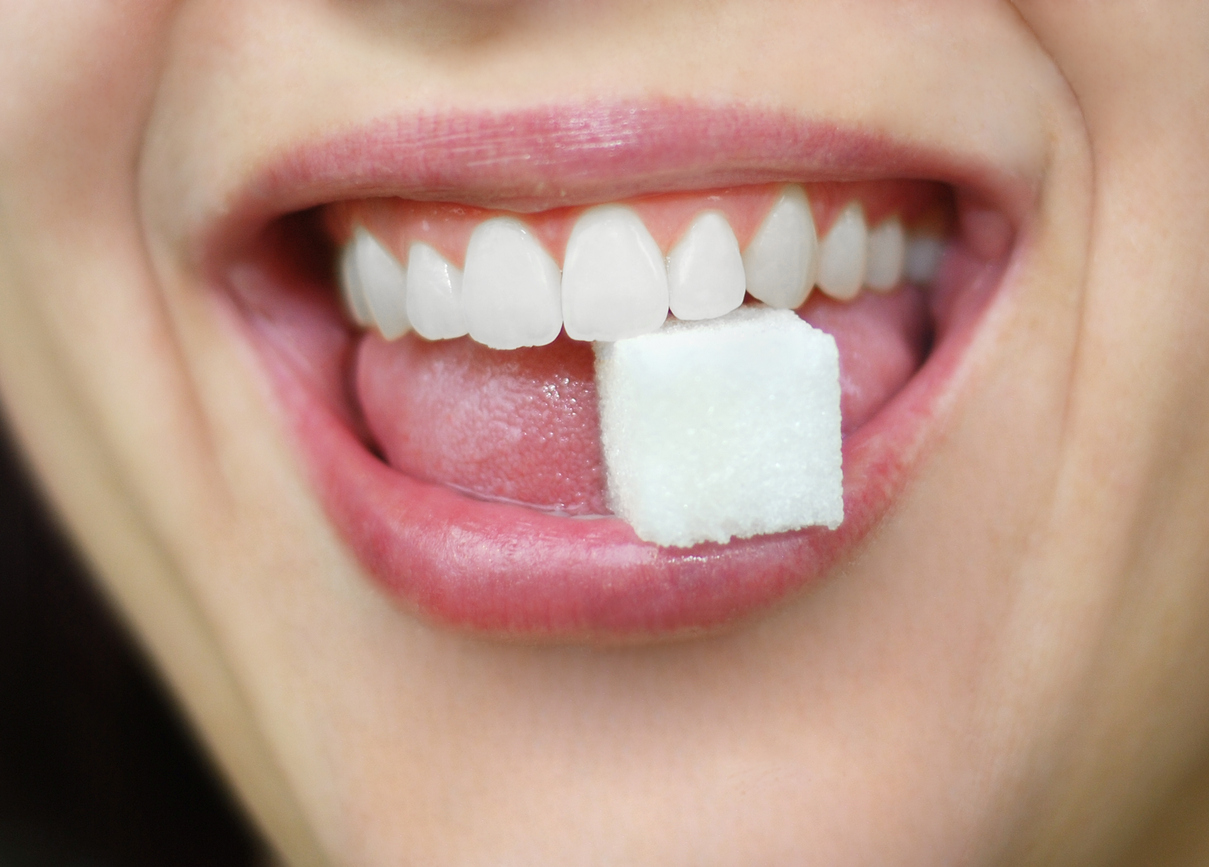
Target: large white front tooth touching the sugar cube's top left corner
{"type": "Point", "coordinates": [615, 281]}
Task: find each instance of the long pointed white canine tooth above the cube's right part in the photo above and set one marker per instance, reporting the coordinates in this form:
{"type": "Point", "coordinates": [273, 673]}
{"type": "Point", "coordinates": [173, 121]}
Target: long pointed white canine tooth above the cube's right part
{"type": "Point", "coordinates": [780, 261]}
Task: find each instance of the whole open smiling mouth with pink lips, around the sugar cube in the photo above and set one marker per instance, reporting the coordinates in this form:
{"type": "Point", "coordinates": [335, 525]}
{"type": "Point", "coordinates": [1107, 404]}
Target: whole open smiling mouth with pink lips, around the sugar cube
{"type": "Point", "coordinates": [456, 449]}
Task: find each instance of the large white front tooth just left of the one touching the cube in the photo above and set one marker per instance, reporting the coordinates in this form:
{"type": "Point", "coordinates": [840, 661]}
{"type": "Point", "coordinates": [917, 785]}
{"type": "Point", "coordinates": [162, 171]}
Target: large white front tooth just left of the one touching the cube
{"type": "Point", "coordinates": [511, 287]}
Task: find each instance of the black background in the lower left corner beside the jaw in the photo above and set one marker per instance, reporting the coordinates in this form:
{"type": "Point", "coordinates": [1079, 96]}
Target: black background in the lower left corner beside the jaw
{"type": "Point", "coordinates": [96, 766]}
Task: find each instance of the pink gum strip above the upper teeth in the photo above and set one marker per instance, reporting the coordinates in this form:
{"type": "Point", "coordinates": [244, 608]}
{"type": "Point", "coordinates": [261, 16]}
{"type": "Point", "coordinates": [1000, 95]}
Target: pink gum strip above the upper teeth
{"type": "Point", "coordinates": [446, 227]}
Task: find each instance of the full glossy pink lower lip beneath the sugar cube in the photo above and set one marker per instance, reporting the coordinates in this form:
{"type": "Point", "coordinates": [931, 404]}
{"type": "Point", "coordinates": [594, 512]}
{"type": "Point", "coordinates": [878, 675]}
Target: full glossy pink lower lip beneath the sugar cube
{"type": "Point", "coordinates": [507, 571]}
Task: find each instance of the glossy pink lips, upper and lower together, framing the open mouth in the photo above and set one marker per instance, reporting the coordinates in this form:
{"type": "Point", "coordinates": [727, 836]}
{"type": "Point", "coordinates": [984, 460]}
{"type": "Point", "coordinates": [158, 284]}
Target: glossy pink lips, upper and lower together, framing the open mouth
{"type": "Point", "coordinates": [512, 571]}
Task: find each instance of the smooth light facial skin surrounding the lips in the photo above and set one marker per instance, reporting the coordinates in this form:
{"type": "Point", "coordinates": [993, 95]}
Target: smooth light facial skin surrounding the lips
{"type": "Point", "coordinates": [1010, 671]}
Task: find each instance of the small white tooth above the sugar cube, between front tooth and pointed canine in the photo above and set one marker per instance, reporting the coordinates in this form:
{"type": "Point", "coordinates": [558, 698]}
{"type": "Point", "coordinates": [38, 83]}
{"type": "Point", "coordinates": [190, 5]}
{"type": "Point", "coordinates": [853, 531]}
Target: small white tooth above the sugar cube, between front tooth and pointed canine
{"type": "Point", "coordinates": [705, 271]}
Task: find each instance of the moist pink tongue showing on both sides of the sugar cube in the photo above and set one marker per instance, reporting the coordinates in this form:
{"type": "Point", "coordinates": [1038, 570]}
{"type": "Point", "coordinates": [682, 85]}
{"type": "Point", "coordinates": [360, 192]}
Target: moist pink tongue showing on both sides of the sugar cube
{"type": "Point", "coordinates": [522, 425]}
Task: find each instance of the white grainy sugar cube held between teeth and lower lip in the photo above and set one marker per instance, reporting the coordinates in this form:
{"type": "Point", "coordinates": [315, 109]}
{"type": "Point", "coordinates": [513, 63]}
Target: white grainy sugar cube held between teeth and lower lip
{"type": "Point", "coordinates": [722, 429]}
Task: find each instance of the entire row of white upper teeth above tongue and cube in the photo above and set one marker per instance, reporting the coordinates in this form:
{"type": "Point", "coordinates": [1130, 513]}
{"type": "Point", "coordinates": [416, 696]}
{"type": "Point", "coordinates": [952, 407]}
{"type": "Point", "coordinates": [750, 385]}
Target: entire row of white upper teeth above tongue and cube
{"type": "Point", "coordinates": [616, 281]}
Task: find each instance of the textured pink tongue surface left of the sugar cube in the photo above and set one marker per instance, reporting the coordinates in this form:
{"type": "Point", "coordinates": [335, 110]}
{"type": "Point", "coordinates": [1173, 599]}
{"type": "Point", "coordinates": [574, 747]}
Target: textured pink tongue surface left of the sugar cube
{"type": "Point", "coordinates": [516, 425]}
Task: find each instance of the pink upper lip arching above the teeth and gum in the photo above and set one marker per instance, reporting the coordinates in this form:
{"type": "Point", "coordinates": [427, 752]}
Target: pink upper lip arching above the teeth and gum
{"type": "Point", "coordinates": [563, 155]}
